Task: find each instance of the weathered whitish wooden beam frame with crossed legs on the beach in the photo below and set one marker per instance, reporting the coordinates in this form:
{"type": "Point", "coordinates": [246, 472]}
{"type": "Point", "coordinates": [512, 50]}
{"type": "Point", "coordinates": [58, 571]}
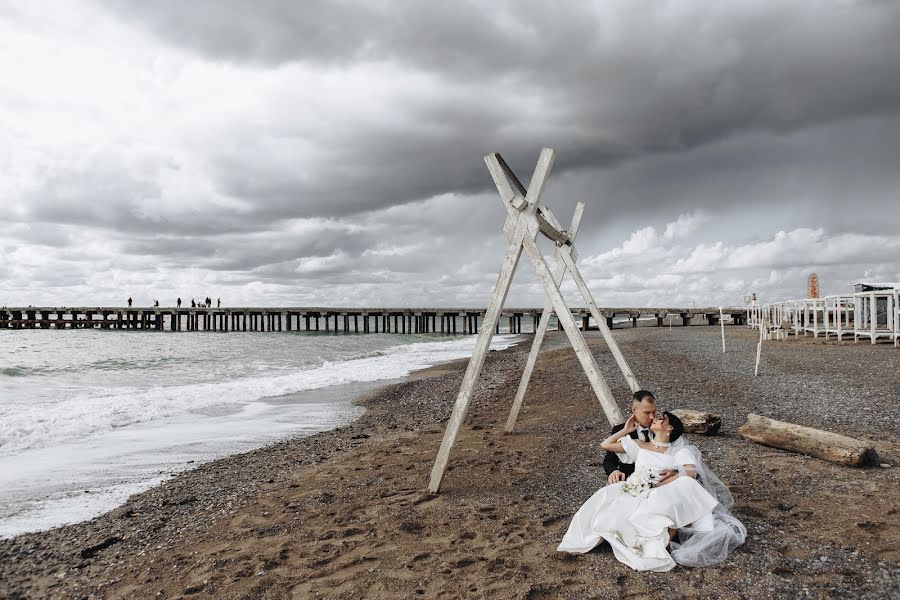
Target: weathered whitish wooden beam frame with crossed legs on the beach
{"type": "Point", "coordinates": [525, 219]}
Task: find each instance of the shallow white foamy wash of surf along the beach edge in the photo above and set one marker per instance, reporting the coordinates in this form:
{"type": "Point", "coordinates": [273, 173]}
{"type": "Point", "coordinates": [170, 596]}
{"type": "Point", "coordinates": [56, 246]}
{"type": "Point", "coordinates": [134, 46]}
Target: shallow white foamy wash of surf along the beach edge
{"type": "Point", "coordinates": [48, 507]}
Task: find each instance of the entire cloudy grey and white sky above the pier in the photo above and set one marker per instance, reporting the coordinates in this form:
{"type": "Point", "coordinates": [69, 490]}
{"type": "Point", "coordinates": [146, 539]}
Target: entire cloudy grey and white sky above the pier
{"type": "Point", "coordinates": [331, 153]}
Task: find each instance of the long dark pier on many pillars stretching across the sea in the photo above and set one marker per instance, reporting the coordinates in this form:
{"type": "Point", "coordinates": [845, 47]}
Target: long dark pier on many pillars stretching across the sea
{"type": "Point", "coordinates": [348, 320]}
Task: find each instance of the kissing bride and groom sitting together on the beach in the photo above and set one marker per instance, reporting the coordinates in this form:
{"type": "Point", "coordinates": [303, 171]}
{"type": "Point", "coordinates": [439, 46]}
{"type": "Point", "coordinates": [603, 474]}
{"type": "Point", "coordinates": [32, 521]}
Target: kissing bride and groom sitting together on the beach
{"type": "Point", "coordinates": [662, 506]}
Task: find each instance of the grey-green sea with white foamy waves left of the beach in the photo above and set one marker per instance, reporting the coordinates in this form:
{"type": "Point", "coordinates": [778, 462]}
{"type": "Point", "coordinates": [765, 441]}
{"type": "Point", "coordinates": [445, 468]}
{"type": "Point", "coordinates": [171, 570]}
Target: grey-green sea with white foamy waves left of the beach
{"type": "Point", "coordinates": [89, 417]}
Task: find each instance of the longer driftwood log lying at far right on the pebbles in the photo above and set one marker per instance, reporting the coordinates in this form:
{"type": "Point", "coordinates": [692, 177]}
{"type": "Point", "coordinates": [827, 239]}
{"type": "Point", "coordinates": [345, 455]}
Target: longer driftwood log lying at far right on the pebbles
{"type": "Point", "coordinates": [828, 446]}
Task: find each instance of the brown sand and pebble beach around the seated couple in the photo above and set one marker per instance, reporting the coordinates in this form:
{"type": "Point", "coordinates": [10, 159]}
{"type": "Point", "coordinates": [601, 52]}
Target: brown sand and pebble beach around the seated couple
{"type": "Point", "coordinates": [344, 514]}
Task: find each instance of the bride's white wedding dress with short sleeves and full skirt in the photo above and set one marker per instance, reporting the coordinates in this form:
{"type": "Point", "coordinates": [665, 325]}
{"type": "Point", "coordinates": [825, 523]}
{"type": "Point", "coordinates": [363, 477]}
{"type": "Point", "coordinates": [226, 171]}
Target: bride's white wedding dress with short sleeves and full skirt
{"type": "Point", "coordinates": [637, 527]}
